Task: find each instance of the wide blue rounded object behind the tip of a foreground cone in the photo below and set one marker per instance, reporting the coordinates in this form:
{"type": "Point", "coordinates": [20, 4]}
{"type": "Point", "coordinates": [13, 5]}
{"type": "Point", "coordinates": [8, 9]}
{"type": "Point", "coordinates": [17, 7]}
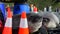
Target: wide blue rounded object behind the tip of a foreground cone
{"type": "Point", "coordinates": [19, 8]}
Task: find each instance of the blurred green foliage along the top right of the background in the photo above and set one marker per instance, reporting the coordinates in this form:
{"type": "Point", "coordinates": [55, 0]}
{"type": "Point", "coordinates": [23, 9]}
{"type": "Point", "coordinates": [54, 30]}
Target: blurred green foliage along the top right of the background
{"type": "Point", "coordinates": [43, 3]}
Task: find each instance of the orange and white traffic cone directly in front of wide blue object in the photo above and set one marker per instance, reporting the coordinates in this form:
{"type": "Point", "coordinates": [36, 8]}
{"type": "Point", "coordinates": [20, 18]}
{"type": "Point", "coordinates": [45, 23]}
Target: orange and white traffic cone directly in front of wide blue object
{"type": "Point", "coordinates": [23, 28]}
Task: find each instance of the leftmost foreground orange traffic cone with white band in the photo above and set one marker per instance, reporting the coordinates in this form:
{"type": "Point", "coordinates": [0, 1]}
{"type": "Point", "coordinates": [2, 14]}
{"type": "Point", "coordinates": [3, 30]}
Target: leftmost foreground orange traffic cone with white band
{"type": "Point", "coordinates": [8, 25]}
